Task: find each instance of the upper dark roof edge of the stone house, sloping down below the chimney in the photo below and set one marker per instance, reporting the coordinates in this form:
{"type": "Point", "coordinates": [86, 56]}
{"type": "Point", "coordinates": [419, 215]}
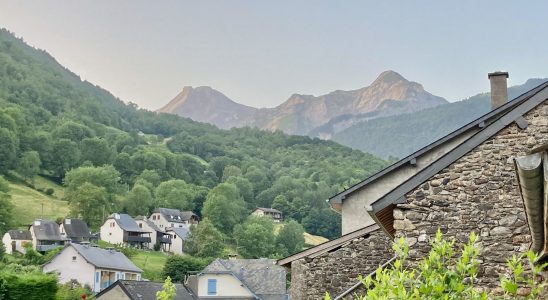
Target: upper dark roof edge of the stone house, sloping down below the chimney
{"type": "Point", "coordinates": [509, 112]}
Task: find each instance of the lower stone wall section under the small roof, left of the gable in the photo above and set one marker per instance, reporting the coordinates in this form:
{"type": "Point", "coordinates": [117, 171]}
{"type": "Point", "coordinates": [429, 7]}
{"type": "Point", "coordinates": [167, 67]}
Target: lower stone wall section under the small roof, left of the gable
{"type": "Point", "coordinates": [338, 270]}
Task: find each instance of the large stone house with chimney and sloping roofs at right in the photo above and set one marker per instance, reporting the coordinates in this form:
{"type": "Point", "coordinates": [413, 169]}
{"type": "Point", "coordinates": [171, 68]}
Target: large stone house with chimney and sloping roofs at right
{"type": "Point", "coordinates": [463, 182]}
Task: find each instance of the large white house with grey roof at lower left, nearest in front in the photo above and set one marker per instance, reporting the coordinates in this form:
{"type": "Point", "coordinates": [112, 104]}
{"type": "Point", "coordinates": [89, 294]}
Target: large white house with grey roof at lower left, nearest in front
{"type": "Point", "coordinates": [96, 267]}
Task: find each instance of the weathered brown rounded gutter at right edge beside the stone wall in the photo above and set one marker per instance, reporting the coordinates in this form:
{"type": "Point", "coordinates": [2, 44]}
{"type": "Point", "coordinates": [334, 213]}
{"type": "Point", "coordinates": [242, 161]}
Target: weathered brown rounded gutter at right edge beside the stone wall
{"type": "Point", "coordinates": [532, 173]}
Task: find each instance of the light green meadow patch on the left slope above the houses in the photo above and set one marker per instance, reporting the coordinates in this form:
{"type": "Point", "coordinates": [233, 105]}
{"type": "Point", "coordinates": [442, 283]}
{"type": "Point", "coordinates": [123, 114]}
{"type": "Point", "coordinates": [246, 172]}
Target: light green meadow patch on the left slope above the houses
{"type": "Point", "coordinates": [31, 204]}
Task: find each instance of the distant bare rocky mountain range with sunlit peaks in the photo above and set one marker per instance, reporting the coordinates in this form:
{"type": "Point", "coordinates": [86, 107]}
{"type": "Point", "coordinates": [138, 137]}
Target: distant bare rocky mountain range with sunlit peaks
{"type": "Point", "coordinates": [389, 94]}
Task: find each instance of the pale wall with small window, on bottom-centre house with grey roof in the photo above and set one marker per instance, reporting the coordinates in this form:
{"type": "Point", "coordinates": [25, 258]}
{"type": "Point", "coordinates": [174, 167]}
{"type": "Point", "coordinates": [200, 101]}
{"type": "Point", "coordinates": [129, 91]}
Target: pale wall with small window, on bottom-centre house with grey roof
{"type": "Point", "coordinates": [227, 286]}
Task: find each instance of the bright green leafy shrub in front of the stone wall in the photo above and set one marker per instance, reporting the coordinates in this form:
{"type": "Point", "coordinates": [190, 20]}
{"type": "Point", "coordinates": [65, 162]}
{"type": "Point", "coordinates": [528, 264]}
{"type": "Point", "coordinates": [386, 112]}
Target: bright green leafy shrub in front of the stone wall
{"type": "Point", "coordinates": [443, 274]}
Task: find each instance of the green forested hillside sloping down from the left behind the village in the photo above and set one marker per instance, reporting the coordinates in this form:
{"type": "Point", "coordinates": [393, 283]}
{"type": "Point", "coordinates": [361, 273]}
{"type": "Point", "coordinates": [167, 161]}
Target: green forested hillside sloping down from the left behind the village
{"type": "Point", "coordinates": [114, 157]}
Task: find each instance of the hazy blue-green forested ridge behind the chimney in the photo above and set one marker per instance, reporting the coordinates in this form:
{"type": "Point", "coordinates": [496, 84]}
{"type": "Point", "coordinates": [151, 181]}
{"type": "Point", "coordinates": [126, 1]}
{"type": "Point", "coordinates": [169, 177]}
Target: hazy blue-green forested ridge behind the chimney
{"type": "Point", "coordinates": [399, 136]}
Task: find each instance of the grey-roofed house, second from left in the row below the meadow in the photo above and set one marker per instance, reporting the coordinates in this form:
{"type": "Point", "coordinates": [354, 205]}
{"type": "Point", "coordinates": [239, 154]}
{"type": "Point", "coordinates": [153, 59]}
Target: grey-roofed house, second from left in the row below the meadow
{"type": "Point", "coordinates": [45, 235]}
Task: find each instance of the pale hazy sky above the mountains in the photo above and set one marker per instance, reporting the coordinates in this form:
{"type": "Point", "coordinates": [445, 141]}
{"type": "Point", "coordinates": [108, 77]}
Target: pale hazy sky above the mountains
{"type": "Point", "coordinates": [260, 52]}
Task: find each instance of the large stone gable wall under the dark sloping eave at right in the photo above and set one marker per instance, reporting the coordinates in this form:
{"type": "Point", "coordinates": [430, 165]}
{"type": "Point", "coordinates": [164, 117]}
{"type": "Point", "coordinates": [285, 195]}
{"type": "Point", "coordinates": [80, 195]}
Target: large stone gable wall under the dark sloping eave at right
{"type": "Point", "coordinates": [478, 192]}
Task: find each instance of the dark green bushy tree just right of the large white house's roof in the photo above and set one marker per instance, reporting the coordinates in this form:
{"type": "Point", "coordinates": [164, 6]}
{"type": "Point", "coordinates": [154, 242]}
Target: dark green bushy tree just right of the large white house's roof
{"type": "Point", "coordinates": [178, 266]}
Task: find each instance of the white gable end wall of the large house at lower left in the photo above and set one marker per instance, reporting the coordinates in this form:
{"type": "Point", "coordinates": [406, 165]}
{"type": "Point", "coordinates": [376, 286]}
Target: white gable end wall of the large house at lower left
{"type": "Point", "coordinates": [68, 268]}
